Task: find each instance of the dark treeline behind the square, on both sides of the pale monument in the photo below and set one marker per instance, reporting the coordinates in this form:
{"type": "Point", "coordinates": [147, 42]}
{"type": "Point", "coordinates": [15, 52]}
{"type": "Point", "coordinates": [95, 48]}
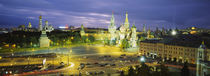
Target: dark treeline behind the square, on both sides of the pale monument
{"type": "Point", "coordinates": [28, 39]}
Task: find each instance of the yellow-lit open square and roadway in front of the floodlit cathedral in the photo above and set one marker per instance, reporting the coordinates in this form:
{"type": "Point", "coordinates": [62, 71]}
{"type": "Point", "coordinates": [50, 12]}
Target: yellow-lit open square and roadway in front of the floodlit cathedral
{"type": "Point", "coordinates": [82, 54]}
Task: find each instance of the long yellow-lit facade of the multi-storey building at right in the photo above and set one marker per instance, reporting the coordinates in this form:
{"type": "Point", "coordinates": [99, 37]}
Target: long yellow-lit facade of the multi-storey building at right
{"type": "Point", "coordinates": [176, 53]}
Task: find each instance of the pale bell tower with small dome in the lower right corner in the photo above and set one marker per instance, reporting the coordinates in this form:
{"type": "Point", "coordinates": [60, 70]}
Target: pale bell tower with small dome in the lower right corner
{"type": "Point", "coordinates": [200, 65]}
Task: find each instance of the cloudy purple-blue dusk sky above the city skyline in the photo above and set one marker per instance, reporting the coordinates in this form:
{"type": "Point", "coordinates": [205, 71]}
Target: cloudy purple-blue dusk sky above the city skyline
{"type": "Point", "coordinates": [97, 13]}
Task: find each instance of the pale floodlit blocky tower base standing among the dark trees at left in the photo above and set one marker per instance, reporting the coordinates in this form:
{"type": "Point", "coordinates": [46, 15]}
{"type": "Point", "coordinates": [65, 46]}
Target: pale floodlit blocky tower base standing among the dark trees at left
{"type": "Point", "coordinates": [44, 41]}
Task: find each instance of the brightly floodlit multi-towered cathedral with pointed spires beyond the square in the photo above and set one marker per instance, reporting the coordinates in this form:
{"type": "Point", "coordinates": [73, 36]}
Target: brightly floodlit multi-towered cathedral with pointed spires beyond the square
{"type": "Point", "coordinates": [123, 33]}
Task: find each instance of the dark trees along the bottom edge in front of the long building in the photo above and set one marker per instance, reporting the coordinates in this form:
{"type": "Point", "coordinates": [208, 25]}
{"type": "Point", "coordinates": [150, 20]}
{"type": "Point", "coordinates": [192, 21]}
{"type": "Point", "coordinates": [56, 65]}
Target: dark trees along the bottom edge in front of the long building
{"type": "Point", "coordinates": [161, 70]}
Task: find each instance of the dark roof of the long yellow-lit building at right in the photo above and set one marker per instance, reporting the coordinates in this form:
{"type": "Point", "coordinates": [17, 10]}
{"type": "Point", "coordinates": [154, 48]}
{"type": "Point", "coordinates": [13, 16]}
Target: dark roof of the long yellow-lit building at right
{"type": "Point", "coordinates": [184, 40]}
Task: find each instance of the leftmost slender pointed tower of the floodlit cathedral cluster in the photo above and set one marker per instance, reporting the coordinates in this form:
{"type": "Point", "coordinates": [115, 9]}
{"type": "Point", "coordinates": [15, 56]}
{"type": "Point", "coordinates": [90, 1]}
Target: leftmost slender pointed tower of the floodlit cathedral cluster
{"type": "Point", "coordinates": [112, 30]}
